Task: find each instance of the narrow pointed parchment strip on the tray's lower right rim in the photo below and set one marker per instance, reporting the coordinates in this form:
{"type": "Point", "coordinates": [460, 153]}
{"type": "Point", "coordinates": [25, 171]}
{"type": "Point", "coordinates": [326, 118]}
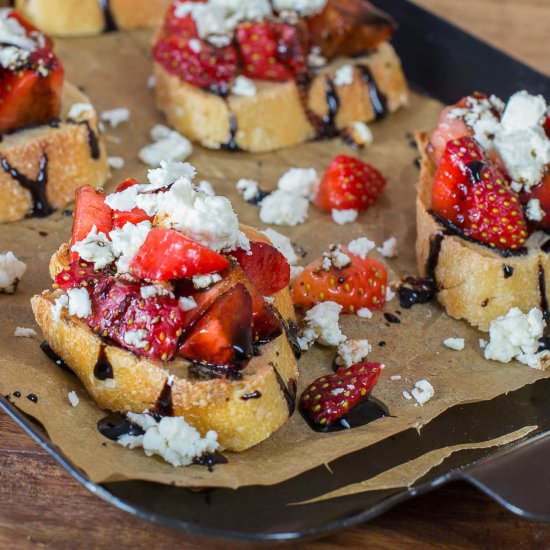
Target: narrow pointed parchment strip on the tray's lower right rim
{"type": "Point", "coordinates": [408, 473]}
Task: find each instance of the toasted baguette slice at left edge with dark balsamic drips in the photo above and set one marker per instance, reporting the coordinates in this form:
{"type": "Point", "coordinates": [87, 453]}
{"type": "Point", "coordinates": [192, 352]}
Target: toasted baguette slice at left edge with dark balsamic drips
{"type": "Point", "coordinates": [72, 150]}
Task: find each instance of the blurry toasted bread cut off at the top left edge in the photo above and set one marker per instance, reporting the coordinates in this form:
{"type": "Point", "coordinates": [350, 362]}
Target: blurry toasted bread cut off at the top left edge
{"type": "Point", "coordinates": [89, 17]}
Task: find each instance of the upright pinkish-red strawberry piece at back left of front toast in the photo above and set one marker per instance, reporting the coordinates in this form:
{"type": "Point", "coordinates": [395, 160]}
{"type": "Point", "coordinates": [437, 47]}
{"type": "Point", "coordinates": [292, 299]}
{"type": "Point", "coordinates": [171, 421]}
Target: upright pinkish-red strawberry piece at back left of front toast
{"type": "Point", "coordinates": [90, 210]}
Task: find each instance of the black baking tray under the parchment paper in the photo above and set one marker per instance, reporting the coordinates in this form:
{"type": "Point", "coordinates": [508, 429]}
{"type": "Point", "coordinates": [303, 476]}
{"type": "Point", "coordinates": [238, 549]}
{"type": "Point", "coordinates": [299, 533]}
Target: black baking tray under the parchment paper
{"type": "Point", "coordinates": [446, 63]}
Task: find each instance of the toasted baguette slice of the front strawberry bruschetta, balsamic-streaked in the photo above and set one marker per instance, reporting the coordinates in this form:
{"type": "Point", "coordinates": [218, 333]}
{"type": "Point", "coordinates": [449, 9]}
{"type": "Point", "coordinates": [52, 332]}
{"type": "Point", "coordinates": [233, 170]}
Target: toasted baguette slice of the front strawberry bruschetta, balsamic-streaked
{"type": "Point", "coordinates": [243, 412]}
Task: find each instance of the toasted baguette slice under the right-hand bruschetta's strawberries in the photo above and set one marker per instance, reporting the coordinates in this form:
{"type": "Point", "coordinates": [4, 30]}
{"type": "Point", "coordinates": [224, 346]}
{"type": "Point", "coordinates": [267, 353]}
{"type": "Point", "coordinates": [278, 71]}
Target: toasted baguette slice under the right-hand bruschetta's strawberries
{"type": "Point", "coordinates": [474, 282]}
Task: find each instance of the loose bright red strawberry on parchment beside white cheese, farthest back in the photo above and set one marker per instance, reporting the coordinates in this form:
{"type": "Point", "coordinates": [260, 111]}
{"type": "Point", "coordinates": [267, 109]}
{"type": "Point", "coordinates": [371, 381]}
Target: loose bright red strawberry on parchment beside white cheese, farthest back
{"type": "Point", "coordinates": [348, 184]}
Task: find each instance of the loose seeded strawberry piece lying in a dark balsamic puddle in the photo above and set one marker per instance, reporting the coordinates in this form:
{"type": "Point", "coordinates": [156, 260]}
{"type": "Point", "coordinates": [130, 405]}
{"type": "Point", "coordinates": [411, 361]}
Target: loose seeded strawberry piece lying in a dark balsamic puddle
{"type": "Point", "coordinates": [329, 398]}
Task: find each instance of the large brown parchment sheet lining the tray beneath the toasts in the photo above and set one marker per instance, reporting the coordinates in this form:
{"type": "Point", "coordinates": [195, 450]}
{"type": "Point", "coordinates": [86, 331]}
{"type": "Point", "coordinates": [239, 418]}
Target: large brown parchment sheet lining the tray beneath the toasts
{"type": "Point", "coordinates": [113, 69]}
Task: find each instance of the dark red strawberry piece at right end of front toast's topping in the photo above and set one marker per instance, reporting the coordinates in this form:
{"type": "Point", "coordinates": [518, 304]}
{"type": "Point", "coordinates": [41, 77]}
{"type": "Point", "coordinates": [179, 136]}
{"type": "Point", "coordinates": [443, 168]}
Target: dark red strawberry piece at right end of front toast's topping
{"type": "Point", "coordinates": [265, 266]}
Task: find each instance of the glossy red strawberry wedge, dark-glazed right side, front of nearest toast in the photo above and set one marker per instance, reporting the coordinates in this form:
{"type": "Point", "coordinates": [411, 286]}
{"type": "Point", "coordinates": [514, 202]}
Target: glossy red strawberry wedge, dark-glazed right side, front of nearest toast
{"type": "Point", "coordinates": [223, 336]}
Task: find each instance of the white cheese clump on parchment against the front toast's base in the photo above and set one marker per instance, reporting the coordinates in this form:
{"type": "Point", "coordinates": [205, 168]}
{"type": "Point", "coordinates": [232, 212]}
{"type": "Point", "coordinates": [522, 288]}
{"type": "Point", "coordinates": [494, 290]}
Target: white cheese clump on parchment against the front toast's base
{"type": "Point", "coordinates": [172, 438]}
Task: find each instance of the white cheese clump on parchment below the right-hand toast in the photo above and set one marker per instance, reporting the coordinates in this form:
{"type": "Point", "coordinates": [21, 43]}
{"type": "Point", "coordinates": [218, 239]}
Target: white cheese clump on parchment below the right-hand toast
{"type": "Point", "coordinates": [516, 336]}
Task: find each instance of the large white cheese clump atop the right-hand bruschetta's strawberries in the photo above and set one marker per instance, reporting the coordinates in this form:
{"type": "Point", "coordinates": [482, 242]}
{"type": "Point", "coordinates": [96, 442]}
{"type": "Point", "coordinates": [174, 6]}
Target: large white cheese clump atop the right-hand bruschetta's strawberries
{"type": "Point", "coordinates": [520, 139]}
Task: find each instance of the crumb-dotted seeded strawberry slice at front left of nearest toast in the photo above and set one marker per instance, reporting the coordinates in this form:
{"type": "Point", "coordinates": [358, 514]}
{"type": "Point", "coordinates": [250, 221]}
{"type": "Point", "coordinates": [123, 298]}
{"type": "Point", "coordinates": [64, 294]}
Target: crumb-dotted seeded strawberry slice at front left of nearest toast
{"type": "Point", "coordinates": [149, 327]}
